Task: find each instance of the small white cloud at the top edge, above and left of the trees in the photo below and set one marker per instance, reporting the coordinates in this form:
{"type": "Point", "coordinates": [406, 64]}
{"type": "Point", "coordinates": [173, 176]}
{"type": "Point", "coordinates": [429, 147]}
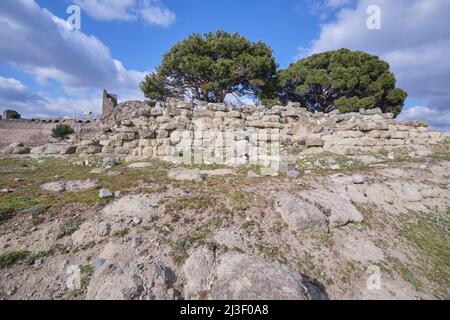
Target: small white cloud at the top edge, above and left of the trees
{"type": "Point", "coordinates": [150, 11]}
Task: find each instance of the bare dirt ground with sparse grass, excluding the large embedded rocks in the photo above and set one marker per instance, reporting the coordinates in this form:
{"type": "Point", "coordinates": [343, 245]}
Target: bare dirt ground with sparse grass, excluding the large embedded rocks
{"type": "Point", "coordinates": [400, 249]}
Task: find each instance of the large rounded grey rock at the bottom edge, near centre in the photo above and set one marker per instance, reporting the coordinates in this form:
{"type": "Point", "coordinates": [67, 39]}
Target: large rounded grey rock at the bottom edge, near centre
{"type": "Point", "coordinates": [237, 276]}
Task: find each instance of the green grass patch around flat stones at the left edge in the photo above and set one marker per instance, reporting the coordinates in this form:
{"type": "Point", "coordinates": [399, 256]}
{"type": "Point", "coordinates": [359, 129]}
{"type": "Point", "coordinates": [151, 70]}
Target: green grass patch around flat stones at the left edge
{"type": "Point", "coordinates": [30, 198]}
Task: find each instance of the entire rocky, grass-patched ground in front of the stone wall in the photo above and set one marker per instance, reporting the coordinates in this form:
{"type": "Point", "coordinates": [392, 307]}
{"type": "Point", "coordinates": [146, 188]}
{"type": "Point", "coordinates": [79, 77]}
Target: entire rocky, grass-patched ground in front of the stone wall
{"type": "Point", "coordinates": [84, 227]}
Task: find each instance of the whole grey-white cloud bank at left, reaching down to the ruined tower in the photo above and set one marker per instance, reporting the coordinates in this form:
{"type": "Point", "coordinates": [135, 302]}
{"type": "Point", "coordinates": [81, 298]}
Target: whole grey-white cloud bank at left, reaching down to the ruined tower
{"type": "Point", "coordinates": [43, 45]}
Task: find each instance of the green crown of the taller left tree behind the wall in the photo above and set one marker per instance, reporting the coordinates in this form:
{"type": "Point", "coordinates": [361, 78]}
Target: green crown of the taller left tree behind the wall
{"type": "Point", "coordinates": [211, 66]}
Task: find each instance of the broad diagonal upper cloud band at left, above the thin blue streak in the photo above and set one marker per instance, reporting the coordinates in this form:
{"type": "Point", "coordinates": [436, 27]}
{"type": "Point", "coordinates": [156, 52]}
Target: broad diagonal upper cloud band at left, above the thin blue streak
{"type": "Point", "coordinates": [45, 46]}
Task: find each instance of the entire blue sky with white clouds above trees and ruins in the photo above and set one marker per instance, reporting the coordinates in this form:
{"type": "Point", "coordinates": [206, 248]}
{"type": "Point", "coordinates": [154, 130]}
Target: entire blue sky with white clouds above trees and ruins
{"type": "Point", "coordinates": [48, 69]}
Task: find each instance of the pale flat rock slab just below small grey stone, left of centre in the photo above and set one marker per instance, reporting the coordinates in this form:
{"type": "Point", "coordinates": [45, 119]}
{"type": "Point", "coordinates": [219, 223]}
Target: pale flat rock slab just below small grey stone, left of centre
{"type": "Point", "coordinates": [139, 205]}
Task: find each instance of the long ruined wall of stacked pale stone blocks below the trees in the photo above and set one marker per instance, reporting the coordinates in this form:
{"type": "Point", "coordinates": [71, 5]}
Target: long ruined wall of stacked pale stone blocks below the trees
{"type": "Point", "coordinates": [136, 130]}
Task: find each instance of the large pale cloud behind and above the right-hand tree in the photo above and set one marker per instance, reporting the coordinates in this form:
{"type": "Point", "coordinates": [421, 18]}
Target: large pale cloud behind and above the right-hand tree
{"type": "Point", "coordinates": [414, 39]}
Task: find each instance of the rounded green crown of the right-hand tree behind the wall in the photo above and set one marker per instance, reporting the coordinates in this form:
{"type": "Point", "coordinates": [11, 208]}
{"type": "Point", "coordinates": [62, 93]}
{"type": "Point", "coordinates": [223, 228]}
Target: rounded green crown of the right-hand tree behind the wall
{"type": "Point", "coordinates": [344, 80]}
